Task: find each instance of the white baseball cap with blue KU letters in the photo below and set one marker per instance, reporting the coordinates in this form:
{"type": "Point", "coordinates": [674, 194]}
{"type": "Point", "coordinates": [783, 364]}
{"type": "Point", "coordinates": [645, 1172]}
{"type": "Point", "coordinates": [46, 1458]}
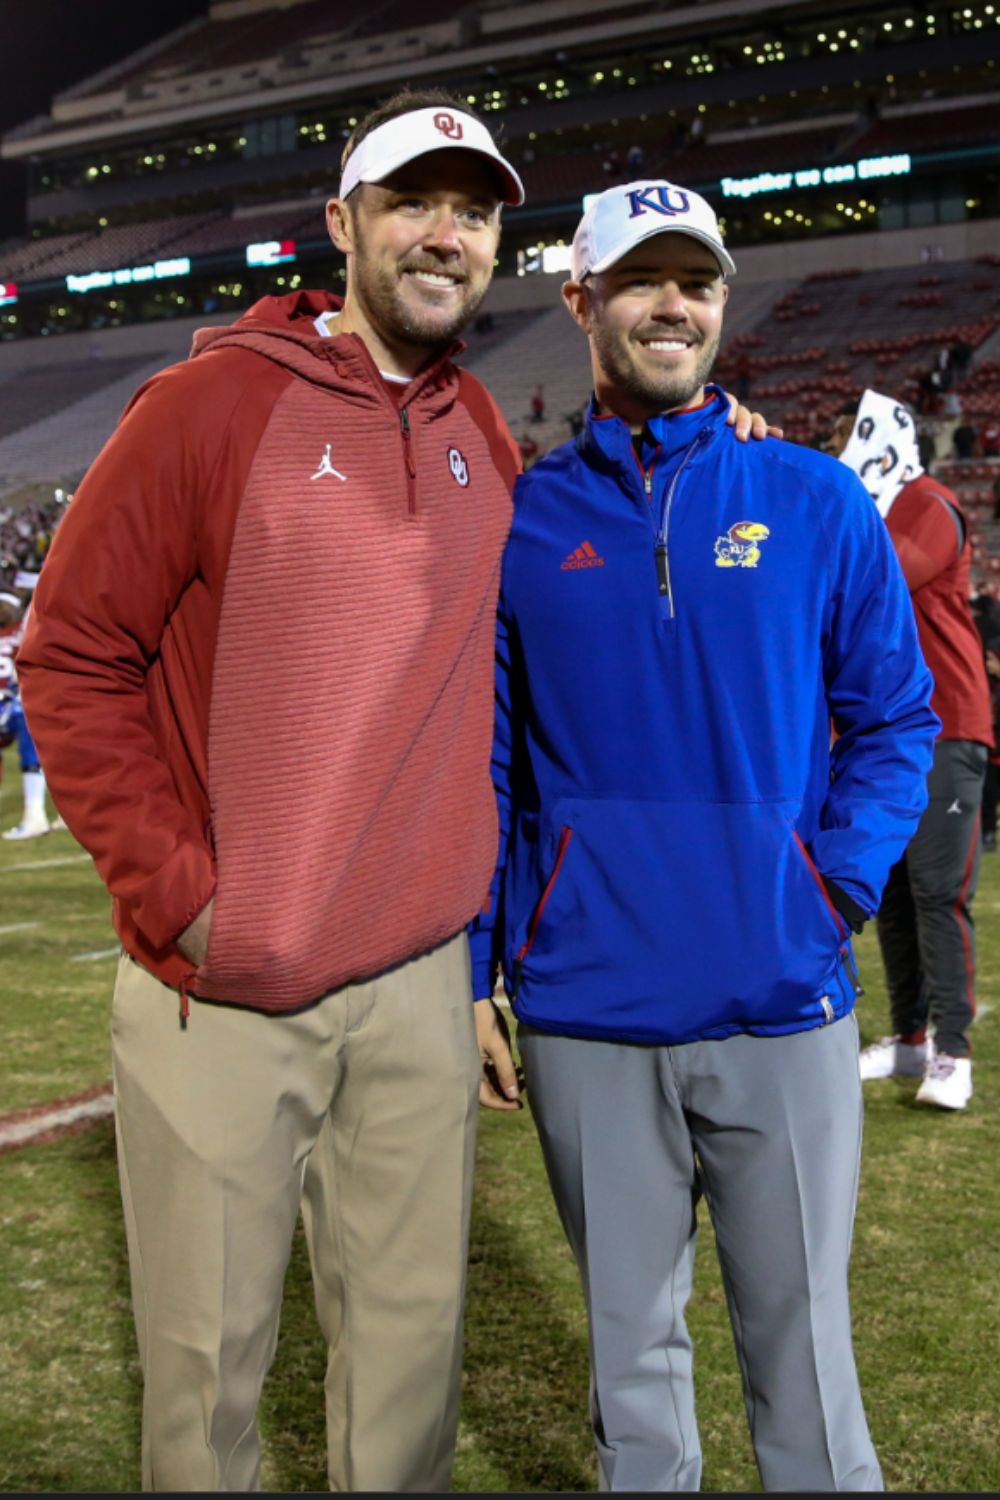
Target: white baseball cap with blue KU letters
{"type": "Point", "coordinates": [621, 218]}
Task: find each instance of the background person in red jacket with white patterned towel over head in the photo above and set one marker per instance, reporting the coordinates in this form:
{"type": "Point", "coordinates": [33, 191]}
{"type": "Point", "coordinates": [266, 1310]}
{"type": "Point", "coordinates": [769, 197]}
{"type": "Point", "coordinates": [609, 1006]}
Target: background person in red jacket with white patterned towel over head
{"type": "Point", "coordinates": [926, 925]}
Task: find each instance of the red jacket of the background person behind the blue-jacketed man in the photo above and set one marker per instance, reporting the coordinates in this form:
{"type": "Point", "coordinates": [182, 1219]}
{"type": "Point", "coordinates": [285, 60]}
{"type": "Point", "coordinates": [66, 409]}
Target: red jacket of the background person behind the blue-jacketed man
{"type": "Point", "coordinates": [932, 541]}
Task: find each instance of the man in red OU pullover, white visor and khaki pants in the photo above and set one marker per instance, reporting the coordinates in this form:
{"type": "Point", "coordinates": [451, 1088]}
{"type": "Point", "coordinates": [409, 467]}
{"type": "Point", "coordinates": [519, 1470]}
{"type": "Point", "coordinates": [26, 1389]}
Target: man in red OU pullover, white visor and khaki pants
{"type": "Point", "coordinates": [292, 1015]}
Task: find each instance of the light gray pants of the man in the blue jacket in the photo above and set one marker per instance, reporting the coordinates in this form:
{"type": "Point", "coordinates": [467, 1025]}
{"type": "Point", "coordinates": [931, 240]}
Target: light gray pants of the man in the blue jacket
{"type": "Point", "coordinates": [770, 1130]}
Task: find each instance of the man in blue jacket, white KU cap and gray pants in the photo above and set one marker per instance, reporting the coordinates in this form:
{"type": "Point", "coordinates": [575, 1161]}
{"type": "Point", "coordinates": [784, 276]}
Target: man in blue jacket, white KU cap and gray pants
{"type": "Point", "coordinates": [686, 854]}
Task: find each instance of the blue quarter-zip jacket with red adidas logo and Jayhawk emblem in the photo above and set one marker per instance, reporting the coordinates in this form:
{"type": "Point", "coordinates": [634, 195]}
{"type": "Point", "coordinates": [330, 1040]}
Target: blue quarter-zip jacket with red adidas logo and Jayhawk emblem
{"type": "Point", "coordinates": [674, 643]}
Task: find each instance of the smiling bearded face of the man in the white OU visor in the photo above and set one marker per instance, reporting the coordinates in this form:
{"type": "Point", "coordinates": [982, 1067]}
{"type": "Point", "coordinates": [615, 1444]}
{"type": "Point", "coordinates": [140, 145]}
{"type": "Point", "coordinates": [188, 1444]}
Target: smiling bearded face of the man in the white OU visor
{"type": "Point", "coordinates": [421, 254]}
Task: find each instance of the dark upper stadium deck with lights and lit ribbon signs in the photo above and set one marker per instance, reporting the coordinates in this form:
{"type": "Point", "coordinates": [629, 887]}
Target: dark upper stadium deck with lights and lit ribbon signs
{"type": "Point", "coordinates": [224, 133]}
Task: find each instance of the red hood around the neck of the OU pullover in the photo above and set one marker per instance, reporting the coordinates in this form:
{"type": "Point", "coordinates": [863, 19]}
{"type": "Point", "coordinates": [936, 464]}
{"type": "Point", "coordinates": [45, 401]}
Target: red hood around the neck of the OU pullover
{"type": "Point", "coordinates": [283, 329]}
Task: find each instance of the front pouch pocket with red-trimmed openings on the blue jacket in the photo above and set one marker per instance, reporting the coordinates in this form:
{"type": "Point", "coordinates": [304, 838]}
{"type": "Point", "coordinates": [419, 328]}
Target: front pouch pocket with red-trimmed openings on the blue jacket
{"type": "Point", "coordinates": [671, 920]}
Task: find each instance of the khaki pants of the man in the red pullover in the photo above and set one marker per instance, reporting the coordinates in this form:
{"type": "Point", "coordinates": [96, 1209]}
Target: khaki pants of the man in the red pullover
{"type": "Point", "coordinates": [362, 1108]}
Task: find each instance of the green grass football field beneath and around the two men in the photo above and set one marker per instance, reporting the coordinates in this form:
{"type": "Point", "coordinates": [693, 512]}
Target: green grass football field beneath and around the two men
{"type": "Point", "coordinates": [926, 1268]}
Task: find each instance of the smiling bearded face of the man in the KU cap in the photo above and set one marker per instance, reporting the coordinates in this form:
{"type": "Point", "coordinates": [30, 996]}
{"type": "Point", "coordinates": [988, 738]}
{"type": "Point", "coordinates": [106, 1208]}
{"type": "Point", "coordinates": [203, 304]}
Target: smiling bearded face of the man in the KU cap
{"type": "Point", "coordinates": [654, 322]}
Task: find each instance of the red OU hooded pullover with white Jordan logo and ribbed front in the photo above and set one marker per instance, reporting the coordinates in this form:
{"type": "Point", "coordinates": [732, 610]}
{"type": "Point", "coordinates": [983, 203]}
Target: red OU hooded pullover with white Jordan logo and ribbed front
{"type": "Point", "coordinates": [260, 664]}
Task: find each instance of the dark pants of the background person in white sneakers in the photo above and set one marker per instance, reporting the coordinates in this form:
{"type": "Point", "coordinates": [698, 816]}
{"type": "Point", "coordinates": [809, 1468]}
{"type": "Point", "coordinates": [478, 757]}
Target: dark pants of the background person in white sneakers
{"type": "Point", "coordinates": [926, 926]}
